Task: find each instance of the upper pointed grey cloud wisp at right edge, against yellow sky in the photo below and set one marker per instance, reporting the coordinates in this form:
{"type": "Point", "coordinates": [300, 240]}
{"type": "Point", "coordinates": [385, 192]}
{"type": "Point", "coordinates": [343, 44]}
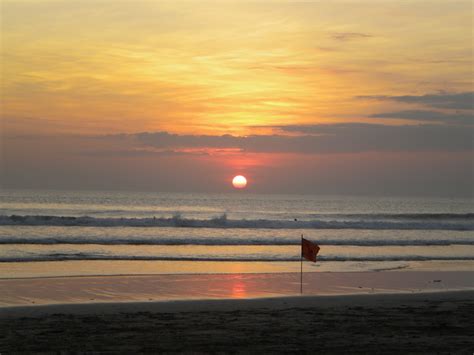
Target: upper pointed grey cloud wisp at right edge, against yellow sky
{"type": "Point", "coordinates": [459, 101]}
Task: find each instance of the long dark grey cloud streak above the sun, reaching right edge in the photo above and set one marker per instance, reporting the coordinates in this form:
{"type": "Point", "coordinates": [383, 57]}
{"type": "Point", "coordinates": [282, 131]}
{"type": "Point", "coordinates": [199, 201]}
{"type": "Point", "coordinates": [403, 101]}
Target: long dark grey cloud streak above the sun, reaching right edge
{"type": "Point", "coordinates": [320, 139]}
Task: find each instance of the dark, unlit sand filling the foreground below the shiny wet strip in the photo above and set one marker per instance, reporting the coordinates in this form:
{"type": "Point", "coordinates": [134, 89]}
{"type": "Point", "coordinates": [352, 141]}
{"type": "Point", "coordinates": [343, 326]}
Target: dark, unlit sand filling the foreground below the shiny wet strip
{"type": "Point", "coordinates": [429, 323]}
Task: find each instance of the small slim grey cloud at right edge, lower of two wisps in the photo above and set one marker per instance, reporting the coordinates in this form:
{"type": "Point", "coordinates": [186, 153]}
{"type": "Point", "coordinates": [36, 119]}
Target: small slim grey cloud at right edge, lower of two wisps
{"type": "Point", "coordinates": [432, 116]}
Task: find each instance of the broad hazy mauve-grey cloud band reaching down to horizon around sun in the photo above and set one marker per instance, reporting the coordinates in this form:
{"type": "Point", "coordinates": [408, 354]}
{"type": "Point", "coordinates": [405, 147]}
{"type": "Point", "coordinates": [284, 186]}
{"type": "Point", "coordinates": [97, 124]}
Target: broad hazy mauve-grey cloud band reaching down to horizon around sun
{"type": "Point", "coordinates": [426, 159]}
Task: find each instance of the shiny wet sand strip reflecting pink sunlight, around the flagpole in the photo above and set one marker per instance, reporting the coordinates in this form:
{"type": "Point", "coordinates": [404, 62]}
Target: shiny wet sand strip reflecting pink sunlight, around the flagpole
{"type": "Point", "coordinates": [151, 288]}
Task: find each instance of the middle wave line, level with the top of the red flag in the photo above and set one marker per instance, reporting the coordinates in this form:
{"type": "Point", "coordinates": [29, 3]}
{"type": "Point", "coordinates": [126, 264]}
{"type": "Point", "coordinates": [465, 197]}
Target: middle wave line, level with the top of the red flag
{"type": "Point", "coordinates": [233, 241]}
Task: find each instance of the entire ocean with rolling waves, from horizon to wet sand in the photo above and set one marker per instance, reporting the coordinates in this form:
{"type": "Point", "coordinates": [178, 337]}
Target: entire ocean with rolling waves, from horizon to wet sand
{"type": "Point", "coordinates": [71, 233]}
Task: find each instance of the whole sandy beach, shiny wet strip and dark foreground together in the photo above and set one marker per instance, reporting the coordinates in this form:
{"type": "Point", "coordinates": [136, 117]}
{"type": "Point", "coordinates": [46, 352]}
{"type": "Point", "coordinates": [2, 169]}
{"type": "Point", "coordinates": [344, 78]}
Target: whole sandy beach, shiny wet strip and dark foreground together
{"type": "Point", "coordinates": [401, 319]}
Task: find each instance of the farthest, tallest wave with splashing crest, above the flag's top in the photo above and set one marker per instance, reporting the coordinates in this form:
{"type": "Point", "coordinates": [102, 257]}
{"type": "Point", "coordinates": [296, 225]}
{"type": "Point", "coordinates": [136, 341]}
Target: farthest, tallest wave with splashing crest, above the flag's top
{"type": "Point", "coordinates": [422, 223]}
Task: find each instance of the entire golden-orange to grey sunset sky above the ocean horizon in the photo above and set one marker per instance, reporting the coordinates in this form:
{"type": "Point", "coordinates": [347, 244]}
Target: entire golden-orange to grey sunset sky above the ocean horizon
{"type": "Point", "coordinates": [308, 97]}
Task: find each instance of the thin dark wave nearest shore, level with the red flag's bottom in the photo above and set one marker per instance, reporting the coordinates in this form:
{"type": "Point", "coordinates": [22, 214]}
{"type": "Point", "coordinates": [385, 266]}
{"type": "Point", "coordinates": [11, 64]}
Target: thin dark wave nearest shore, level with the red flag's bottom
{"type": "Point", "coordinates": [82, 256]}
